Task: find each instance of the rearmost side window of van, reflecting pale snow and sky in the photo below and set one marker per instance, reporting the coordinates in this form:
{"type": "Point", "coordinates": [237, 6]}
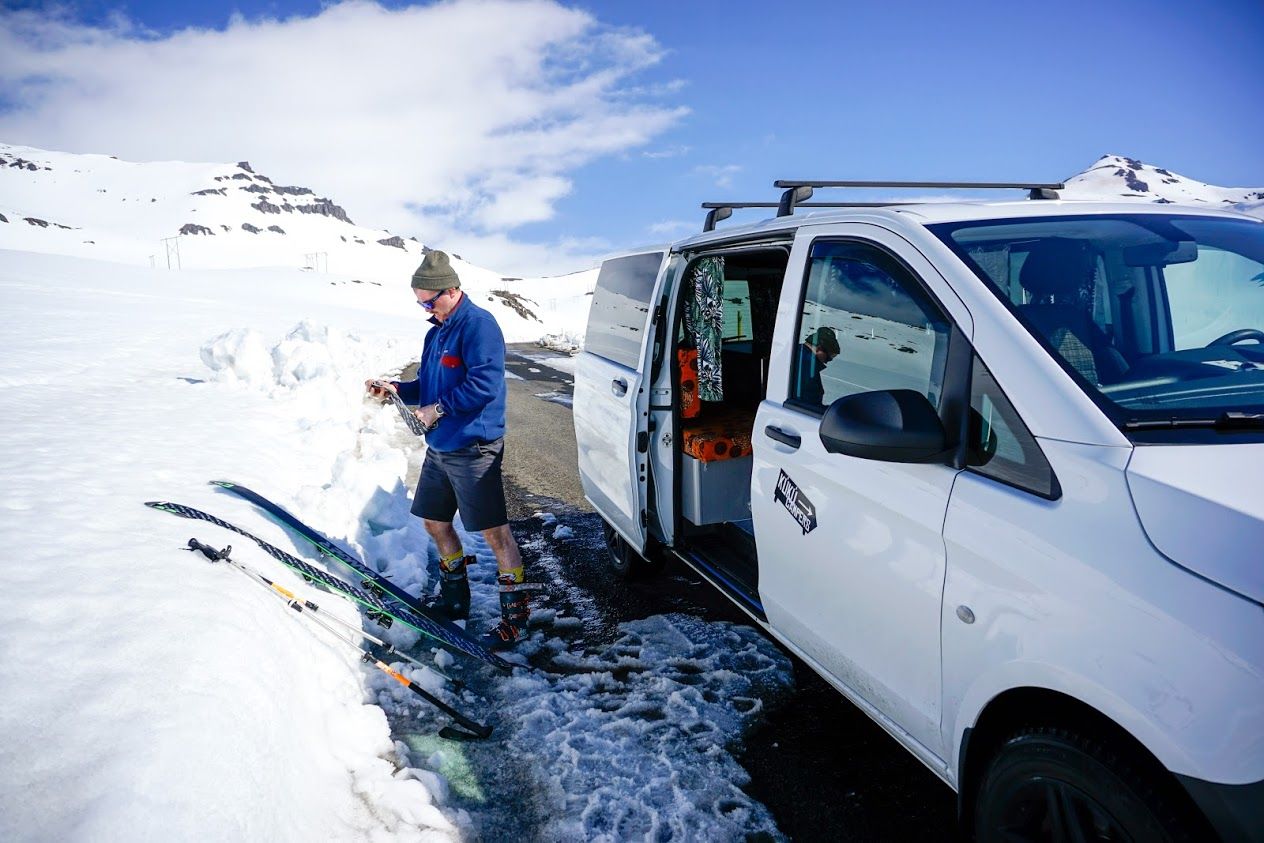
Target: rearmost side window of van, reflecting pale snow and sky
{"type": "Point", "coordinates": [621, 308]}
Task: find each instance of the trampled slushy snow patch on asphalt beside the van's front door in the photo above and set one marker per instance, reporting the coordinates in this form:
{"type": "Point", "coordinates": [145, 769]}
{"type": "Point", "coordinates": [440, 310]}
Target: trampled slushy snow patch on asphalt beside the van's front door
{"type": "Point", "coordinates": [636, 743]}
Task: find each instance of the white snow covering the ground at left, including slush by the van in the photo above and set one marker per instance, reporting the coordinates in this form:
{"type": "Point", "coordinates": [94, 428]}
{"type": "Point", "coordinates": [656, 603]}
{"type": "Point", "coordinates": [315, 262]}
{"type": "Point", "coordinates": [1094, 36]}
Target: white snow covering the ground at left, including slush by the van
{"type": "Point", "coordinates": [151, 694]}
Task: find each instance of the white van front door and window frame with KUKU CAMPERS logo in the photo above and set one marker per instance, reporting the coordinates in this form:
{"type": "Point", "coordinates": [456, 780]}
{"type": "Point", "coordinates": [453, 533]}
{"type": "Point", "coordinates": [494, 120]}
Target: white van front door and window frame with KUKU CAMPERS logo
{"type": "Point", "coordinates": [861, 588]}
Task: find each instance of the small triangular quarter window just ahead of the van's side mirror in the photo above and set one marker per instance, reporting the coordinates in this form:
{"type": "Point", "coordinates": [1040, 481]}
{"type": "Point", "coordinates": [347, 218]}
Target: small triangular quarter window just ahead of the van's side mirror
{"type": "Point", "coordinates": [999, 444]}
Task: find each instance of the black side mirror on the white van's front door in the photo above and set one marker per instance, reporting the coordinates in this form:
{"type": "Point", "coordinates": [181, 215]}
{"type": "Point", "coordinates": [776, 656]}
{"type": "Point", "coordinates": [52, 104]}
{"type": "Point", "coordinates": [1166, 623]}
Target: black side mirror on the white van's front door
{"type": "Point", "coordinates": [892, 425]}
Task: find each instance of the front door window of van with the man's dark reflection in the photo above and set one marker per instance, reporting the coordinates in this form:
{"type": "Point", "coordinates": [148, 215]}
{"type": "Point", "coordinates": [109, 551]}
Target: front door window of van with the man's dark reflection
{"type": "Point", "coordinates": [866, 325]}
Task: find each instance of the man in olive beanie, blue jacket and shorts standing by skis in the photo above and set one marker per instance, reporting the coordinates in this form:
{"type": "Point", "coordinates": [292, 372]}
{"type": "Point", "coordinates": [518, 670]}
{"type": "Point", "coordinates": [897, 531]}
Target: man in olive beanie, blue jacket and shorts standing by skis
{"type": "Point", "coordinates": [461, 395]}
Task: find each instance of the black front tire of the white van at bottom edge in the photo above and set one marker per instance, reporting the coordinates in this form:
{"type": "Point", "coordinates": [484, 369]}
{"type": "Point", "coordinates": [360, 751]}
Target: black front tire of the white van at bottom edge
{"type": "Point", "coordinates": [1048, 784]}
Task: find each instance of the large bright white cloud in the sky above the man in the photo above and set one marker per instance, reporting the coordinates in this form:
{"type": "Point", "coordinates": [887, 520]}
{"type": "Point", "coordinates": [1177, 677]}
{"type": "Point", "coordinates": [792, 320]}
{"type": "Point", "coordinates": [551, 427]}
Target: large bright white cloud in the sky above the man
{"type": "Point", "coordinates": [458, 119]}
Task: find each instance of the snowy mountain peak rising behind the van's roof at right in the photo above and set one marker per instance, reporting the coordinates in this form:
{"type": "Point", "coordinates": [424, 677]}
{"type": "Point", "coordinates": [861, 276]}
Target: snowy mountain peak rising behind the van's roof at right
{"type": "Point", "coordinates": [1117, 178]}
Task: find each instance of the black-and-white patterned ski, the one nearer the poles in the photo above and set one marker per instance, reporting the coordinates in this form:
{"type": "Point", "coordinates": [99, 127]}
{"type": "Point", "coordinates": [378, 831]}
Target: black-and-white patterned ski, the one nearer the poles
{"type": "Point", "coordinates": [379, 609]}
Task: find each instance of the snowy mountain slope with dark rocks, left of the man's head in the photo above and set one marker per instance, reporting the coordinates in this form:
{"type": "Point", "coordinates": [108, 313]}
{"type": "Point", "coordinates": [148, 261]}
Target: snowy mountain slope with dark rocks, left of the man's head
{"type": "Point", "coordinates": [226, 215]}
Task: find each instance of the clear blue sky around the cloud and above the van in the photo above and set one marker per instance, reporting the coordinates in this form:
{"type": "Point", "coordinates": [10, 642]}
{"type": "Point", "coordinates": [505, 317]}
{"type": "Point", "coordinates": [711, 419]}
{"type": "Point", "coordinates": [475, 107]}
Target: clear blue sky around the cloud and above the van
{"type": "Point", "coordinates": [997, 90]}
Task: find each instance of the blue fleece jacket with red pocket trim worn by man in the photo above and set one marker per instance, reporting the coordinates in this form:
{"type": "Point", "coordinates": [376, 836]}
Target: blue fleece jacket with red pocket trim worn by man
{"type": "Point", "coordinates": [463, 370]}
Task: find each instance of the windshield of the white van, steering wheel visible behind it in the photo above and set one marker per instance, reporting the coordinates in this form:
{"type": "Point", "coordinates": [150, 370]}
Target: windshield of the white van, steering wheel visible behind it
{"type": "Point", "coordinates": [1160, 318]}
